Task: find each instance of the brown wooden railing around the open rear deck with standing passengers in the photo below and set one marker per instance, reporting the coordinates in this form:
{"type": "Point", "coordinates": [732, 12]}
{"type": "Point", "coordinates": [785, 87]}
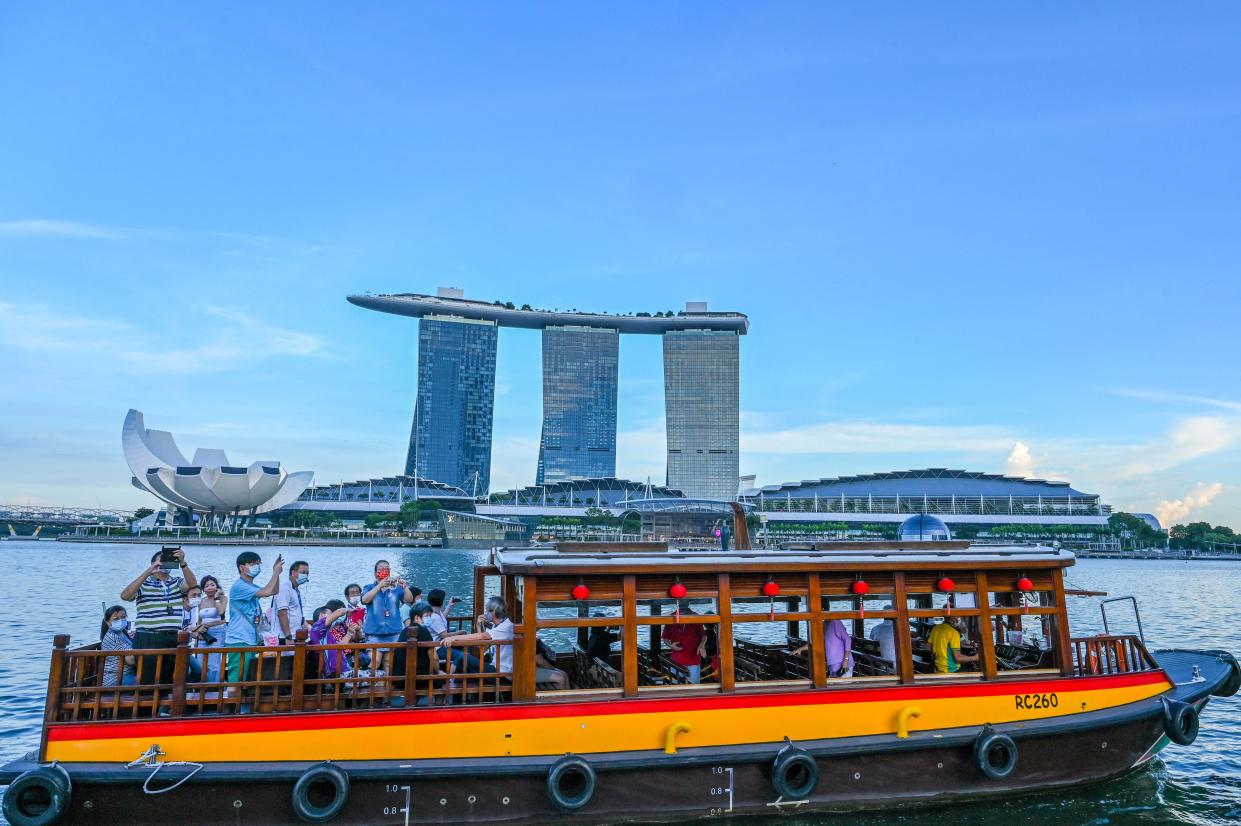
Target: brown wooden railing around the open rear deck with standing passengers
{"type": "Point", "coordinates": [295, 678]}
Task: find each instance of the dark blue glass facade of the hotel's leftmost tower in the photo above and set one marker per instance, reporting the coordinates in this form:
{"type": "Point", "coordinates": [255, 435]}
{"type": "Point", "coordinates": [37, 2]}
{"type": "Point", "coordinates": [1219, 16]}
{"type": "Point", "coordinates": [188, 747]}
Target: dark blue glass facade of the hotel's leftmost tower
{"type": "Point", "coordinates": [451, 440]}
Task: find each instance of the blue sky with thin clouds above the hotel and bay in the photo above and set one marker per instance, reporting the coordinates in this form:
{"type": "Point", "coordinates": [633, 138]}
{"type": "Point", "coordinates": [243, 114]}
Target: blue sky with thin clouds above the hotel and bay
{"type": "Point", "coordinates": [969, 236]}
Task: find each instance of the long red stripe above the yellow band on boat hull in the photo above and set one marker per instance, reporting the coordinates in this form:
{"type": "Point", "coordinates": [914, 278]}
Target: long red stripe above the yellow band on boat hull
{"type": "Point", "coordinates": [320, 721]}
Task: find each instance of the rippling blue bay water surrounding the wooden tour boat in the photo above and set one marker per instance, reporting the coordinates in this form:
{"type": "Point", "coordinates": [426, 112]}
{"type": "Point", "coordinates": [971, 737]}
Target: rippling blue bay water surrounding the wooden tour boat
{"type": "Point", "coordinates": [49, 588]}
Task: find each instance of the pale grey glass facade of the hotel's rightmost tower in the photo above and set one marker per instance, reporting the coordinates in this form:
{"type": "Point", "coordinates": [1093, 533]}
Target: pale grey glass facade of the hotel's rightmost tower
{"type": "Point", "coordinates": [702, 404]}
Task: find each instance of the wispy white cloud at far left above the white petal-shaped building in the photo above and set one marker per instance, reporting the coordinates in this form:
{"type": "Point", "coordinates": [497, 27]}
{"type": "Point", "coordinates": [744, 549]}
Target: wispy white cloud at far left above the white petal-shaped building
{"type": "Point", "coordinates": [236, 342]}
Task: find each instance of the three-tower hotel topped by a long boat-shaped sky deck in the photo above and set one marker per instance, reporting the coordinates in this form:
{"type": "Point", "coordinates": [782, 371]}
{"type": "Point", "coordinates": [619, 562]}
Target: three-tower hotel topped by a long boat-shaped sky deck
{"type": "Point", "coordinates": [451, 440]}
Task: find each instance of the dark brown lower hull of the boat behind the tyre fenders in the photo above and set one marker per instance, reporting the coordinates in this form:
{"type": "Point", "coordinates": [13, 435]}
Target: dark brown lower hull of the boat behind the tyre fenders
{"type": "Point", "coordinates": [910, 776]}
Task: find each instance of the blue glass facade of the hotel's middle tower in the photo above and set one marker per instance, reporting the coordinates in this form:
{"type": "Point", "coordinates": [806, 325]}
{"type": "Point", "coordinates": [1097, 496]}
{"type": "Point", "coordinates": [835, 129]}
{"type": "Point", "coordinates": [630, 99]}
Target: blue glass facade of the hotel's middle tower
{"type": "Point", "coordinates": [580, 405]}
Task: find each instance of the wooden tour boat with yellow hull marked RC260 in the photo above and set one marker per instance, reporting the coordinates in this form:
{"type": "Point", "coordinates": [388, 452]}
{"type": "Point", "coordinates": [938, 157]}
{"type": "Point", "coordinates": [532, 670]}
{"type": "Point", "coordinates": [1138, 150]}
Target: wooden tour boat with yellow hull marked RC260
{"type": "Point", "coordinates": [777, 722]}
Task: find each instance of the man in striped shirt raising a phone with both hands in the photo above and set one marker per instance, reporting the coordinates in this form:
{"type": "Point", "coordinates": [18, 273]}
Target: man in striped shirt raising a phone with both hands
{"type": "Point", "coordinates": [158, 602]}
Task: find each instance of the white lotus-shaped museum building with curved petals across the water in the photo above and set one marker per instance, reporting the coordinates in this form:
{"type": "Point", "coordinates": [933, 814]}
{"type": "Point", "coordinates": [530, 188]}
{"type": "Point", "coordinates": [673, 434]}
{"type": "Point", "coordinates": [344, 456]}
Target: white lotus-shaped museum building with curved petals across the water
{"type": "Point", "coordinates": [210, 483]}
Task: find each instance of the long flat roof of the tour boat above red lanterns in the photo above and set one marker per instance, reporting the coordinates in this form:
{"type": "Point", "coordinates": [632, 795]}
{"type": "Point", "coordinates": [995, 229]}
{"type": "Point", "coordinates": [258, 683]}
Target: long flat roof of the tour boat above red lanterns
{"type": "Point", "coordinates": [636, 557]}
